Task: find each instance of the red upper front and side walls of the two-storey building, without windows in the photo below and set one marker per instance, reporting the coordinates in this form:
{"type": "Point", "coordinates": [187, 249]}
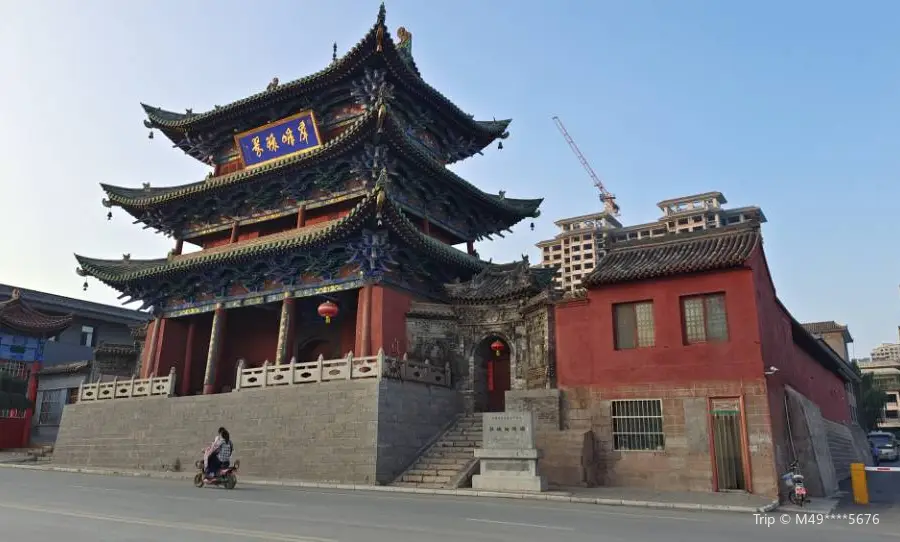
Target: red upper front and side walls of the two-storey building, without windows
{"type": "Point", "coordinates": [759, 336]}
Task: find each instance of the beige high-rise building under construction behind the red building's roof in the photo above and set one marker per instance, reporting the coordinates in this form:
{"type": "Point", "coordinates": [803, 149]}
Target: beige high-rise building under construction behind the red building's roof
{"type": "Point", "coordinates": [583, 240]}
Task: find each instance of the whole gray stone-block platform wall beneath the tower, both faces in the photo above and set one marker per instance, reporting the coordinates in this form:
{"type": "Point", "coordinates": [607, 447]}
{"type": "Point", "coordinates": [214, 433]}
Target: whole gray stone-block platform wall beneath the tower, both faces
{"type": "Point", "coordinates": [361, 432]}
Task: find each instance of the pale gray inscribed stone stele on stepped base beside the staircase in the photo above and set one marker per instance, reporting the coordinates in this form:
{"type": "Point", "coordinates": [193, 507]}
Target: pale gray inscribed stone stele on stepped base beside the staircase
{"type": "Point", "coordinates": [508, 461]}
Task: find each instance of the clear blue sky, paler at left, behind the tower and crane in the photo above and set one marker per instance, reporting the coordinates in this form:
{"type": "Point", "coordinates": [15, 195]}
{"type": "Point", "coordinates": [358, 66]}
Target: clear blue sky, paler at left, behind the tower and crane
{"type": "Point", "coordinates": [791, 106]}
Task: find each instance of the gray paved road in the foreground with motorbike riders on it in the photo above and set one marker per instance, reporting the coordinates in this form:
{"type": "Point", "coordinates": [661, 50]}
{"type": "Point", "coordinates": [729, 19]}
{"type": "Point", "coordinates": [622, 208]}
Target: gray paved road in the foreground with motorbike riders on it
{"type": "Point", "coordinates": [39, 505]}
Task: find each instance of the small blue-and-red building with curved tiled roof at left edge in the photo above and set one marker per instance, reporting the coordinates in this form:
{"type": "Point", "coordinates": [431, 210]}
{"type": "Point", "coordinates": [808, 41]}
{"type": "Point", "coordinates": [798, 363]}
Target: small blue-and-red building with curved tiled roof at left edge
{"type": "Point", "coordinates": [23, 333]}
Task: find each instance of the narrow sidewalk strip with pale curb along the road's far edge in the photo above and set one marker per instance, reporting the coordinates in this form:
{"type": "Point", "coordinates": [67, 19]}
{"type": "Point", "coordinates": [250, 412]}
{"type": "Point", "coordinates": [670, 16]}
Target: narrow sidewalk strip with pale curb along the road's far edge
{"type": "Point", "coordinates": [606, 496]}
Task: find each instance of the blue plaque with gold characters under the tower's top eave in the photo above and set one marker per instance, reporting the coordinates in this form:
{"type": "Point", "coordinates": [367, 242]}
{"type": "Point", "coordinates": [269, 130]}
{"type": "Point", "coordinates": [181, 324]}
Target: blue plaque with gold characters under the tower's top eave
{"type": "Point", "coordinates": [291, 135]}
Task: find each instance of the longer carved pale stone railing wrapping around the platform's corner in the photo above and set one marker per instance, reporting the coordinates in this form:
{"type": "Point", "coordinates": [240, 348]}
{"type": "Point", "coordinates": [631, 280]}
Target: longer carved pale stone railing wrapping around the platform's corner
{"type": "Point", "coordinates": [346, 368]}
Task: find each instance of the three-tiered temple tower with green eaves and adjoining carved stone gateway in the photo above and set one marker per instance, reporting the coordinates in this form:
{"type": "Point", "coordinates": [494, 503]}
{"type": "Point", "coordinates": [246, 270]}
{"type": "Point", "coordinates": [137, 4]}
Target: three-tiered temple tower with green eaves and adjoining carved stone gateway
{"type": "Point", "coordinates": [329, 224]}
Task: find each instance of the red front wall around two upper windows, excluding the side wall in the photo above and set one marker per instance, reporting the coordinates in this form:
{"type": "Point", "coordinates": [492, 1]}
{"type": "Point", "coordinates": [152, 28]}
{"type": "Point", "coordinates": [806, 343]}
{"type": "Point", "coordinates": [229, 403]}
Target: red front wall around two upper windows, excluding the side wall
{"type": "Point", "coordinates": [585, 352]}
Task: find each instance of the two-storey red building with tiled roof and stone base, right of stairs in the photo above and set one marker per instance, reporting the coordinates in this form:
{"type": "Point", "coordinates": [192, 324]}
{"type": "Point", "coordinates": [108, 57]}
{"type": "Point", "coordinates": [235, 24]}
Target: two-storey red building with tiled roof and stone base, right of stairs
{"type": "Point", "coordinates": [682, 361]}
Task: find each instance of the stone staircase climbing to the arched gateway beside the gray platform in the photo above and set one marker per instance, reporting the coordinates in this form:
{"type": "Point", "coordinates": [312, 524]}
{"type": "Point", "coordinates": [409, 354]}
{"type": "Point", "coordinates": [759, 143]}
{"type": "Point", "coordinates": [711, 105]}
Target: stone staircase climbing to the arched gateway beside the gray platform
{"type": "Point", "coordinates": [448, 458]}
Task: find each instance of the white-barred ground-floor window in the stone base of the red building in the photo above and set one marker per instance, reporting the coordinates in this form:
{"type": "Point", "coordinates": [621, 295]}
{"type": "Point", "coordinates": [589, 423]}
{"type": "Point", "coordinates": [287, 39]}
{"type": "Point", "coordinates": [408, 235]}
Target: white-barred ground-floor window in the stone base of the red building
{"type": "Point", "coordinates": [637, 425]}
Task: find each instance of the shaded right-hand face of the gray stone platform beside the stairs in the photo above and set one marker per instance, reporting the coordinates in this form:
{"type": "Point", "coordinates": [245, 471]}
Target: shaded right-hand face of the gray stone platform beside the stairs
{"type": "Point", "coordinates": [410, 416]}
